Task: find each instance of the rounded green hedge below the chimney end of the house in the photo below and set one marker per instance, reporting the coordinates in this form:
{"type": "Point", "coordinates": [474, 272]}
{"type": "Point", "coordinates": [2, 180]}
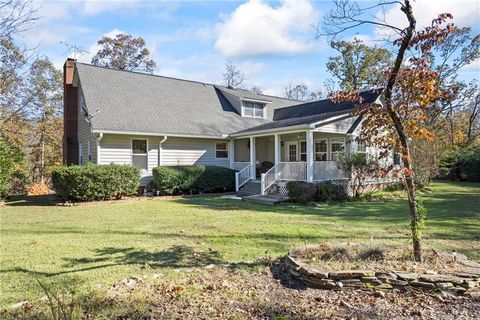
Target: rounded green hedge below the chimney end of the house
{"type": "Point", "coordinates": [95, 182]}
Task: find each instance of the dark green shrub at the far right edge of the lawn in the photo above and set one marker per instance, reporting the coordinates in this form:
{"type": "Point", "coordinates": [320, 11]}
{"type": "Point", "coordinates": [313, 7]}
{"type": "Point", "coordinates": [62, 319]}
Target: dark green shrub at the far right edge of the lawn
{"type": "Point", "coordinates": [462, 164]}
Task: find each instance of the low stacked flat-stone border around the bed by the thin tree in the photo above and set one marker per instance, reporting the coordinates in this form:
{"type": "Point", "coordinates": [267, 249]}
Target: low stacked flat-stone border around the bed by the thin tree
{"type": "Point", "coordinates": [458, 282]}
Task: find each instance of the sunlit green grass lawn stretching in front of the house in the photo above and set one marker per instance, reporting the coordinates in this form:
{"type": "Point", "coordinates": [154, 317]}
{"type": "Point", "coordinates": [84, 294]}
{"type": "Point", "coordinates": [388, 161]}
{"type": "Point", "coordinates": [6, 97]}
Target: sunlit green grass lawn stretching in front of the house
{"type": "Point", "coordinates": [82, 246]}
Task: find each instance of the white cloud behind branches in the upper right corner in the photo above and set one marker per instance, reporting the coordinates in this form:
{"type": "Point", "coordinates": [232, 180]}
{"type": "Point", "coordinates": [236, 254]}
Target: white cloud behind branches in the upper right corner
{"type": "Point", "coordinates": [465, 13]}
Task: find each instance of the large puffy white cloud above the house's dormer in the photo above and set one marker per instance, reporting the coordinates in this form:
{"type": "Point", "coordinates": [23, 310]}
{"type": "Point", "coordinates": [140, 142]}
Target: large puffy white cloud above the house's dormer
{"type": "Point", "coordinates": [257, 28]}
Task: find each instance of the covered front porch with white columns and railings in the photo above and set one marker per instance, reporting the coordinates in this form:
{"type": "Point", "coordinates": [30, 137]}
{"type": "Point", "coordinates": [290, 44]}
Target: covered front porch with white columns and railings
{"type": "Point", "coordinates": [273, 159]}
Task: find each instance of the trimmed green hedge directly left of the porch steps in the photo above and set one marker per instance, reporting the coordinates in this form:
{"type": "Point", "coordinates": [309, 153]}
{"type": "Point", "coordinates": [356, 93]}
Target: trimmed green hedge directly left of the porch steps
{"type": "Point", "coordinates": [193, 179]}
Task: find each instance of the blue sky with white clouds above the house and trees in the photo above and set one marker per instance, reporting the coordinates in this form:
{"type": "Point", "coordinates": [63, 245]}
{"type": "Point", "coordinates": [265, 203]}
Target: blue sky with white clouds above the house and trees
{"type": "Point", "coordinates": [273, 43]}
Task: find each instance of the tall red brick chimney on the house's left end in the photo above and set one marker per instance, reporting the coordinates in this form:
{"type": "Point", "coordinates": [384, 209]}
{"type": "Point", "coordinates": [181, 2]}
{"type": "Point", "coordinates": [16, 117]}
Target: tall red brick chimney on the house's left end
{"type": "Point", "coordinates": [70, 114]}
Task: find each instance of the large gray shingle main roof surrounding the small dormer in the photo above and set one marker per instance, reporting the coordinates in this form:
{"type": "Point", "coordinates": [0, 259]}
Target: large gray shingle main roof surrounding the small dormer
{"type": "Point", "coordinates": [136, 102]}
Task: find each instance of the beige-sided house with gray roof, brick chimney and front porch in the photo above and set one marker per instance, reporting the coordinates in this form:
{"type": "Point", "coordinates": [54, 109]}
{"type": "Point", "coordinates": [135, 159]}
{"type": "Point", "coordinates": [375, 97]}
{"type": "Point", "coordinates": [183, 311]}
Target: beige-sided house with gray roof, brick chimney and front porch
{"type": "Point", "coordinates": [148, 120]}
